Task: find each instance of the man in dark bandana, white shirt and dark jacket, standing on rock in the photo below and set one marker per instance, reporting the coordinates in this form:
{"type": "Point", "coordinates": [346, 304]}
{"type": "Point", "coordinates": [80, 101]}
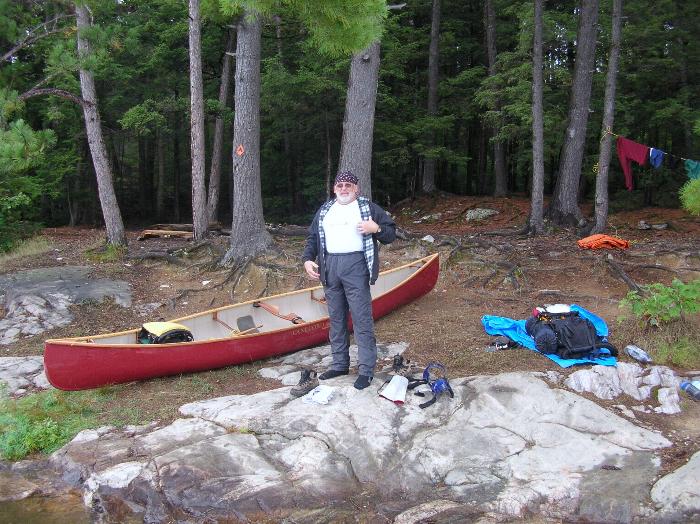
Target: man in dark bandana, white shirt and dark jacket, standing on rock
{"type": "Point", "coordinates": [342, 251]}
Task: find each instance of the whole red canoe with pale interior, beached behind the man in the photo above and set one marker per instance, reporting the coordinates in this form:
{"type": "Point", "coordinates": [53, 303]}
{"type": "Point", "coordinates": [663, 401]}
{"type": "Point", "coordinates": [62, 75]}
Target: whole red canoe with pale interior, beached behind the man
{"type": "Point", "coordinates": [225, 336]}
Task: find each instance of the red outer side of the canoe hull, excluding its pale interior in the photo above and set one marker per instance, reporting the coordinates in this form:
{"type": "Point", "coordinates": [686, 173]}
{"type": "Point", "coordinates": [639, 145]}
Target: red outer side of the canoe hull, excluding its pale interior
{"type": "Point", "coordinates": [72, 365]}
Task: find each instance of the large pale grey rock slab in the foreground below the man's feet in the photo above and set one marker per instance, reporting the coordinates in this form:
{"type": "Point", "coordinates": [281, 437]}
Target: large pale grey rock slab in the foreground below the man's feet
{"type": "Point", "coordinates": [506, 445]}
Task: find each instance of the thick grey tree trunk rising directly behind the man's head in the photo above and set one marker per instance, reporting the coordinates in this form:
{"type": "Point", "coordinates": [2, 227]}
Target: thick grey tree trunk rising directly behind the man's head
{"type": "Point", "coordinates": [358, 123]}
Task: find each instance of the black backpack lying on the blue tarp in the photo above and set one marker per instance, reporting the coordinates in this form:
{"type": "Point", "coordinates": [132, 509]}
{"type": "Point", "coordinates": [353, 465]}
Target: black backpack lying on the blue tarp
{"type": "Point", "coordinates": [568, 335]}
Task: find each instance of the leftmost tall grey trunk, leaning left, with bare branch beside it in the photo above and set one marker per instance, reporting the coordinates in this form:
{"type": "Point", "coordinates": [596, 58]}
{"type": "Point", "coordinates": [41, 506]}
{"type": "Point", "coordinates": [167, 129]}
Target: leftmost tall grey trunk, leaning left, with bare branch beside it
{"type": "Point", "coordinates": [93, 126]}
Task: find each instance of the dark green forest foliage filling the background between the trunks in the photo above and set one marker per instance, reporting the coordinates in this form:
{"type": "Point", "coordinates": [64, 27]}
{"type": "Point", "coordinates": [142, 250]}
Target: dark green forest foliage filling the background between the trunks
{"type": "Point", "coordinates": [139, 49]}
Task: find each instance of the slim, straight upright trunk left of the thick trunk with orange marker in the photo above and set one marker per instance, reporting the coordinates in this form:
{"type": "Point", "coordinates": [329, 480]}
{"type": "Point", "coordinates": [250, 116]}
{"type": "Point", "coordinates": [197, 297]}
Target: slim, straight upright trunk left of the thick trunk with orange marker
{"type": "Point", "coordinates": [200, 225]}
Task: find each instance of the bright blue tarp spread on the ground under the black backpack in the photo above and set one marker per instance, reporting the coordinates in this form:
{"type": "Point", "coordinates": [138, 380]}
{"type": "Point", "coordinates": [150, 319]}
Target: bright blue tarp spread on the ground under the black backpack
{"type": "Point", "coordinates": [515, 330]}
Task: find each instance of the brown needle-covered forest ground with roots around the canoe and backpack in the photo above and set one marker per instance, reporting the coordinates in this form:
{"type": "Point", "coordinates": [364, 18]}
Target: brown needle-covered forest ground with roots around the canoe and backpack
{"type": "Point", "coordinates": [483, 271]}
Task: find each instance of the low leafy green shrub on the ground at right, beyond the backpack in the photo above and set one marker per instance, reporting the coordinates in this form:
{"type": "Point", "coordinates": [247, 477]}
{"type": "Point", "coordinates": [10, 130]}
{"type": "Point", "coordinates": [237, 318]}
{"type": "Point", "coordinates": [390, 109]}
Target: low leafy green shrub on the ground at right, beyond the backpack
{"type": "Point", "coordinates": [661, 304]}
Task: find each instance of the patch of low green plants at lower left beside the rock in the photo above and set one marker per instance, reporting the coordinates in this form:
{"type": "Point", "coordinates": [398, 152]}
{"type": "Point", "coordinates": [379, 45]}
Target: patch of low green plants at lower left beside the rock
{"type": "Point", "coordinates": [43, 422]}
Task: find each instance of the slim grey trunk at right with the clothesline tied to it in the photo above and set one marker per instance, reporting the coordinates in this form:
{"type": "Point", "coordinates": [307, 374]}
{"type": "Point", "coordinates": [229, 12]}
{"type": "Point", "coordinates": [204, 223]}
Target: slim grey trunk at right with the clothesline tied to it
{"type": "Point", "coordinates": [601, 183]}
